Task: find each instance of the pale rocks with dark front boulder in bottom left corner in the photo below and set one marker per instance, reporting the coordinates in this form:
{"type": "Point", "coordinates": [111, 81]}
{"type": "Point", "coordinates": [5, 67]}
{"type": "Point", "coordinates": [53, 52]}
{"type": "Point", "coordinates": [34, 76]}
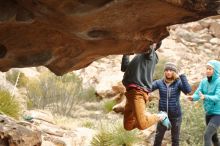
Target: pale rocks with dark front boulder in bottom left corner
{"type": "Point", "coordinates": [39, 129]}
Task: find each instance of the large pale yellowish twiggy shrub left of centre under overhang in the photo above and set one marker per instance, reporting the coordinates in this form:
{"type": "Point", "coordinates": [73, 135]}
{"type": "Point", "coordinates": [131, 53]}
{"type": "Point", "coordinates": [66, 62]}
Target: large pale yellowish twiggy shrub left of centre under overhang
{"type": "Point", "coordinates": [58, 93]}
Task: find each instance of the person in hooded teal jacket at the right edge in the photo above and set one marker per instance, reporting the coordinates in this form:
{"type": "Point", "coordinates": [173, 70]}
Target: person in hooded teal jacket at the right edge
{"type": "Point", "coordinates": [209, 92]}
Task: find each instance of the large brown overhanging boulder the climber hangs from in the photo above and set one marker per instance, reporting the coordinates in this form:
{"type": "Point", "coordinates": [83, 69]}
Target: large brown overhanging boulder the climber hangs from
{"type": "Point", "coordinates": [70, 34]}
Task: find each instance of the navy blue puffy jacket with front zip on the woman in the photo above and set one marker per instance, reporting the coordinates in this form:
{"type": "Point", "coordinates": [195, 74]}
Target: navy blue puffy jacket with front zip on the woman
{"type": "Point", "coordinates": [170, 95]}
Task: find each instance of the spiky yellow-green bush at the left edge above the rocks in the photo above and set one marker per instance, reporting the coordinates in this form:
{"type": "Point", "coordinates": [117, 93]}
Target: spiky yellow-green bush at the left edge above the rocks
{"type": "Point", "coordinates": [8, 105]}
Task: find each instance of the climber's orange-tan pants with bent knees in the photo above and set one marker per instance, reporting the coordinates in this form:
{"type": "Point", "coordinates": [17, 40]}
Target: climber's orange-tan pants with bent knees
{"type": "Point", "coordinates": [134, 114]}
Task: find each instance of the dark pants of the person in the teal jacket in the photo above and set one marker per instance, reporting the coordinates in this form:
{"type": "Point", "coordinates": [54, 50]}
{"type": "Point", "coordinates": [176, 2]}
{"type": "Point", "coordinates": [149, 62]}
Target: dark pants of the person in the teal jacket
{"type": "Point", "coordinates": [210, 136]}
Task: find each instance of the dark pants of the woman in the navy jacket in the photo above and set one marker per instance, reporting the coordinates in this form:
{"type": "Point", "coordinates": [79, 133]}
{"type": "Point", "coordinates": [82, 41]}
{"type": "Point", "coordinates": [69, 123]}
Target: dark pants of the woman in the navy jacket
{"type": "Point", "coordinates": [175, 132]}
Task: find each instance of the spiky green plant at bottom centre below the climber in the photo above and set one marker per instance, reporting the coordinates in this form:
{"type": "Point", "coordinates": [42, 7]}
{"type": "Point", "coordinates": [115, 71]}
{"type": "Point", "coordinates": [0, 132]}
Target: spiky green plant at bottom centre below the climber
{"type": "Point", "coordinates": [114, 134]}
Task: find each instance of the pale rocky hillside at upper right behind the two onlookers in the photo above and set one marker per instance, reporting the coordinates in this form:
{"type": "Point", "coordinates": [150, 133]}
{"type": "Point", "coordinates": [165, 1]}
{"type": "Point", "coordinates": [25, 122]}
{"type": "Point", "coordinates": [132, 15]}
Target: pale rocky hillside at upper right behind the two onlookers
{"type": "Point", "coordinates": [200, 42]}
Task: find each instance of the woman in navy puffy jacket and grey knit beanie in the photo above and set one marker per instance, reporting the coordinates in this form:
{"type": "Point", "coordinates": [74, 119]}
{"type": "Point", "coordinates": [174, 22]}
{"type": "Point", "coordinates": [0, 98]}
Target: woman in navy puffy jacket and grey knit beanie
{"type": "Point", "coordinates": [170, 88]}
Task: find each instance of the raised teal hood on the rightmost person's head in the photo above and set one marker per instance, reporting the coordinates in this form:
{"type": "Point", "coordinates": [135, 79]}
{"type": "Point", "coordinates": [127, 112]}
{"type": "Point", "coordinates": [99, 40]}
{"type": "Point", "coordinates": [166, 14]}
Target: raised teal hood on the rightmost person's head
{"type": "Point", "coordinates": [216, 66]}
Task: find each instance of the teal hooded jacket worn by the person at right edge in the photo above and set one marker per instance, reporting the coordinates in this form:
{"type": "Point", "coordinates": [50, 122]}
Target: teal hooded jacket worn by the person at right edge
{"type": "Point", "coordinates": [211, 90]}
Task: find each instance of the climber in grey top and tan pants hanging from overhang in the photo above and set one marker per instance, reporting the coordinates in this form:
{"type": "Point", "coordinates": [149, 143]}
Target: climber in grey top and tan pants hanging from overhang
{"type": "Point", "coordinates": [137, 80]}
